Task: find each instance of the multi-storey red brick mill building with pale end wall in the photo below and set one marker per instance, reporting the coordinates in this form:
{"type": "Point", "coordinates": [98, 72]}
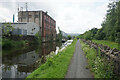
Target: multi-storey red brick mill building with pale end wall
{"type": "Point", "coordinates": [46, 23]}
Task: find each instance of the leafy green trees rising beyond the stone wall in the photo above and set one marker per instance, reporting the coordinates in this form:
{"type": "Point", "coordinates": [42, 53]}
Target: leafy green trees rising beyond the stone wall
{"type": "Point", "coordinates": [110, 26]}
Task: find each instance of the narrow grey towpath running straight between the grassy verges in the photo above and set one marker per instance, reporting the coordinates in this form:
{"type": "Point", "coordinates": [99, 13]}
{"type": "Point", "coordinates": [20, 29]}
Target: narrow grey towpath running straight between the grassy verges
{"type": "Point", "coordinates": [77, 67]}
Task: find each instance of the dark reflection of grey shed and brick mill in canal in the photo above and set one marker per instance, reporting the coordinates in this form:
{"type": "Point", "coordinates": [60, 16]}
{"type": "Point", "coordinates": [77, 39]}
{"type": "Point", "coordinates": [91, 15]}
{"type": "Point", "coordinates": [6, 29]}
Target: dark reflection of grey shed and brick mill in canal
{"type": "Point", "coordinates": [30, 58]}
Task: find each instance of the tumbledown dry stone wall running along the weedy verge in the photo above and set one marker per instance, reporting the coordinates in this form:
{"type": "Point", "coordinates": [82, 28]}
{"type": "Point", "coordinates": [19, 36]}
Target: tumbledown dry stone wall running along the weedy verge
{"type": "Point", "coordinates": [107, 52]}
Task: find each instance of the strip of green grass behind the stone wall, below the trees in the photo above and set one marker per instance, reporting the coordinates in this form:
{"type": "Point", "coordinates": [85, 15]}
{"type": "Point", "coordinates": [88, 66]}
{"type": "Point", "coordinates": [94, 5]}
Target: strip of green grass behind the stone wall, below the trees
{"type": "Point", "coordinates": [108, 43]}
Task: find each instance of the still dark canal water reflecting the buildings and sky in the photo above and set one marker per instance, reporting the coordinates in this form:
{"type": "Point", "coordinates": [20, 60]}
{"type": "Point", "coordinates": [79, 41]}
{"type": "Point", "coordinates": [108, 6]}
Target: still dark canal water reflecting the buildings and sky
{"type": "Point", "coordinates": [22, 62]}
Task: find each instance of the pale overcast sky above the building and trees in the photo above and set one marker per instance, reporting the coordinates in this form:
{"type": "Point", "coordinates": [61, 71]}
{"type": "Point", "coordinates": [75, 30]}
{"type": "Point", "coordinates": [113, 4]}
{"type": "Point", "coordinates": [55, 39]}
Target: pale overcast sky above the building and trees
{"type": "Point", "coordinates": [72, 16]}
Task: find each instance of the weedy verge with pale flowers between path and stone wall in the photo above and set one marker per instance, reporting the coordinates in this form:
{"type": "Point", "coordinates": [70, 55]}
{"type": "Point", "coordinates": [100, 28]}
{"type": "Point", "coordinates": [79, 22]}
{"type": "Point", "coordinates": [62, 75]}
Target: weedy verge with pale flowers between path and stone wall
{"type": "Point", "coordinates": [98, 65]}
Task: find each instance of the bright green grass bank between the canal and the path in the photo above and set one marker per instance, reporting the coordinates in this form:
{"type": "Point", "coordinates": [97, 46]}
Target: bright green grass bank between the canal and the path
{"type": "Point", "coordinates": [55, 67]}
